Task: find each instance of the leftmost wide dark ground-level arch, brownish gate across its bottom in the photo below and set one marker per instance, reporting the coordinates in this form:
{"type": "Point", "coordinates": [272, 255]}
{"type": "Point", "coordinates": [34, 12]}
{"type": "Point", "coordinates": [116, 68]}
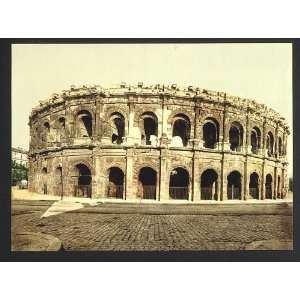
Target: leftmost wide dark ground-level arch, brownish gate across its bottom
{"type": "Point", "coordinates": [84, 179]}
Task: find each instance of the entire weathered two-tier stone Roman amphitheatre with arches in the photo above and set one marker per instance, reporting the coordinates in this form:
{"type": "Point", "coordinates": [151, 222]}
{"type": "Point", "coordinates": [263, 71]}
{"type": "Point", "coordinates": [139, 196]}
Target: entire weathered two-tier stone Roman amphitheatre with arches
{"type": "Point", "coordinates": [157, 142]}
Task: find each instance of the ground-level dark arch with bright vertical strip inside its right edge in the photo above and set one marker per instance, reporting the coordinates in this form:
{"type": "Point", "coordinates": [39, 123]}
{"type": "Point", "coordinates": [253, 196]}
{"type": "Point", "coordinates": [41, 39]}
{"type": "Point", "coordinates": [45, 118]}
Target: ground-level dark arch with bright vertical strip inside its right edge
{"type": "Point", "coordinates": [209, 185]}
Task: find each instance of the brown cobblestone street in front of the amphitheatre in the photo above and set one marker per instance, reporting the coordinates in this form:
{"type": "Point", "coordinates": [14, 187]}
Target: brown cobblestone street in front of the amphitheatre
{"type": "Point", "coordinates": [82, 230]}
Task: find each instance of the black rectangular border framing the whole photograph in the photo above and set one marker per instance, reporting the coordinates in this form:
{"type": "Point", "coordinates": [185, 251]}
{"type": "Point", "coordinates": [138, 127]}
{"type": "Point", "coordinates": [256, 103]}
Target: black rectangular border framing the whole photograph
{"type": "Point", "coordinates": [5, 161]}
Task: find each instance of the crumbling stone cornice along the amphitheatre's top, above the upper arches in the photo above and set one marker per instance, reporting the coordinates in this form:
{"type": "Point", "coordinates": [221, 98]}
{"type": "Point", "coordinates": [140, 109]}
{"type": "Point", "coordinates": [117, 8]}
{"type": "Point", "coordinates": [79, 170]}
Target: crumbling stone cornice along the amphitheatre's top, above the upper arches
{"type": "Point", "coordinates": [191, 93]}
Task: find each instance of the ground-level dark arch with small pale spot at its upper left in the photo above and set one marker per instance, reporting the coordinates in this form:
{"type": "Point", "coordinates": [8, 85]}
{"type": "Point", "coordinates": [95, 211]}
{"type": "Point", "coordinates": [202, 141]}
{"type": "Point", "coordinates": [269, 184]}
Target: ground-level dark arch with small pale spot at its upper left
{"type": "Point", "coordinates": [179, 184]}
